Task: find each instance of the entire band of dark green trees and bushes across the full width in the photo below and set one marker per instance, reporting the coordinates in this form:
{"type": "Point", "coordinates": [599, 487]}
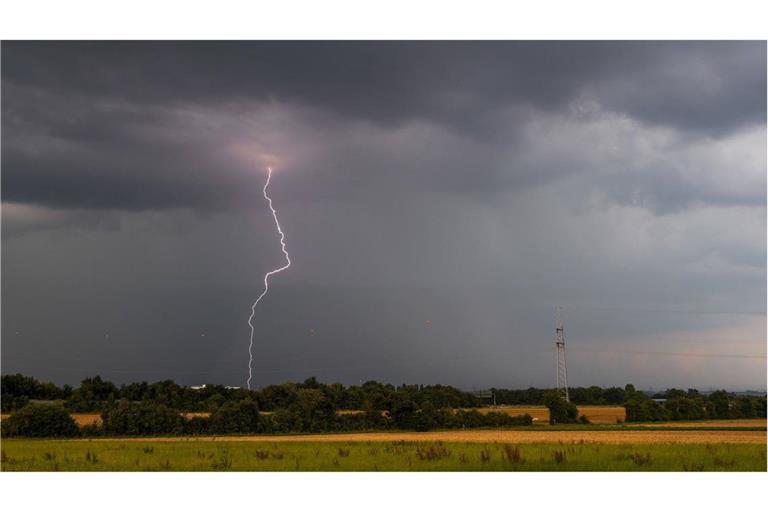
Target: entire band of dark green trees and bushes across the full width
{"type": "Point", "coordinates": [42, 409]}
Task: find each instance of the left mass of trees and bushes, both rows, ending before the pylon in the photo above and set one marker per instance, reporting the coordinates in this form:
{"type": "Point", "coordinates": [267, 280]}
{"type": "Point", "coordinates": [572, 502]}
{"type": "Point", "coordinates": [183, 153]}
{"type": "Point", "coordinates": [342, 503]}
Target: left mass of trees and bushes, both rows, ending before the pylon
{"type": "Point", "coordinates": [41, 409]}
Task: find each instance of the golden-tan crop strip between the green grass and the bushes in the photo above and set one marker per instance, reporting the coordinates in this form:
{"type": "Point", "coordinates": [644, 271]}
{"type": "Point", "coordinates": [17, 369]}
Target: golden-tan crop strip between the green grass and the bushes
{"type": "Point", "coordinates": [502, 436]}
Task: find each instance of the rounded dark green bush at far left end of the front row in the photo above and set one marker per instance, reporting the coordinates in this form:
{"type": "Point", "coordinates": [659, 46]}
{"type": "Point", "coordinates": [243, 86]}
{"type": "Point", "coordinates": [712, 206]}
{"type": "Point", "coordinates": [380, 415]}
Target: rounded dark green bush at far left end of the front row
{"type": "Point", "coordinates": [40, 420]}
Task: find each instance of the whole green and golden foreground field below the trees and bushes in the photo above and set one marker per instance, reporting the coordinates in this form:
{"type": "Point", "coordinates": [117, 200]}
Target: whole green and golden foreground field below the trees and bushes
{"type": "Point", "coordinates": [707, 445]}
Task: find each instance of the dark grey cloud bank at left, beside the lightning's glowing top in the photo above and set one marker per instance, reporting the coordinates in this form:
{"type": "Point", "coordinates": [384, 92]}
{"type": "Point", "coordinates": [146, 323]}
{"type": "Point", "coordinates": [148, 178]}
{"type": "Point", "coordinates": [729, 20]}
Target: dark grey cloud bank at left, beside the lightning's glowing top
{"type": "Point", "coordinates": [81, 153]}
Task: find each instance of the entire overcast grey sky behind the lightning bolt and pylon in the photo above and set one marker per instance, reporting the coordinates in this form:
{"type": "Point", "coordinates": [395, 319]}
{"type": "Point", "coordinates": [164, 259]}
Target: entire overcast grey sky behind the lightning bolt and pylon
{"type": "Point", "coordinates": [438, 200]}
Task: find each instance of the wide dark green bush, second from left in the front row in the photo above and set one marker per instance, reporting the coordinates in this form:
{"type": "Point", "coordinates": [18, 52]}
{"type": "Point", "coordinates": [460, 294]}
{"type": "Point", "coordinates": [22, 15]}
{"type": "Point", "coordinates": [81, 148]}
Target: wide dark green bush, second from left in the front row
{"type": "Point", "coordinates": [141, 418]}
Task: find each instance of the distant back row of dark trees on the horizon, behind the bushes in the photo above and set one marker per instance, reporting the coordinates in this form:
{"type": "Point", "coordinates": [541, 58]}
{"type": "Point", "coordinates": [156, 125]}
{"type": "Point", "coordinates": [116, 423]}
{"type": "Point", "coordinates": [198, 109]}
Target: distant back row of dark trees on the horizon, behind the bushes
{"type": "Point", "coordinates": [94, 393]}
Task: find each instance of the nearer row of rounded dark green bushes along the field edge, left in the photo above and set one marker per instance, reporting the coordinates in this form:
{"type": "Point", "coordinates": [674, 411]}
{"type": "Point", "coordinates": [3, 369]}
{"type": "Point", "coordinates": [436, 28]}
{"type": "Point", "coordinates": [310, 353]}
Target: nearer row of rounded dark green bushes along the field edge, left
{"type": "Point", "coordinates": [310, 412]}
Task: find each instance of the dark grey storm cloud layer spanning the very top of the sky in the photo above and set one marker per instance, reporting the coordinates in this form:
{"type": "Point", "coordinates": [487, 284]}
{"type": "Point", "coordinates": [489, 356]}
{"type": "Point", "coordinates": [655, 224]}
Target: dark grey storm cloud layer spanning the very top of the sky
{"type": "Point", "coordinates": [397, 81]}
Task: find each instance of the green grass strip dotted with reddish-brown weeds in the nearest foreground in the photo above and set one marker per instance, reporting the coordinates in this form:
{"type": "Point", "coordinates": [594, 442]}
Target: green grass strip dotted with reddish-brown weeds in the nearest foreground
{"type": "Point", "coordinates": [199, 455]}
